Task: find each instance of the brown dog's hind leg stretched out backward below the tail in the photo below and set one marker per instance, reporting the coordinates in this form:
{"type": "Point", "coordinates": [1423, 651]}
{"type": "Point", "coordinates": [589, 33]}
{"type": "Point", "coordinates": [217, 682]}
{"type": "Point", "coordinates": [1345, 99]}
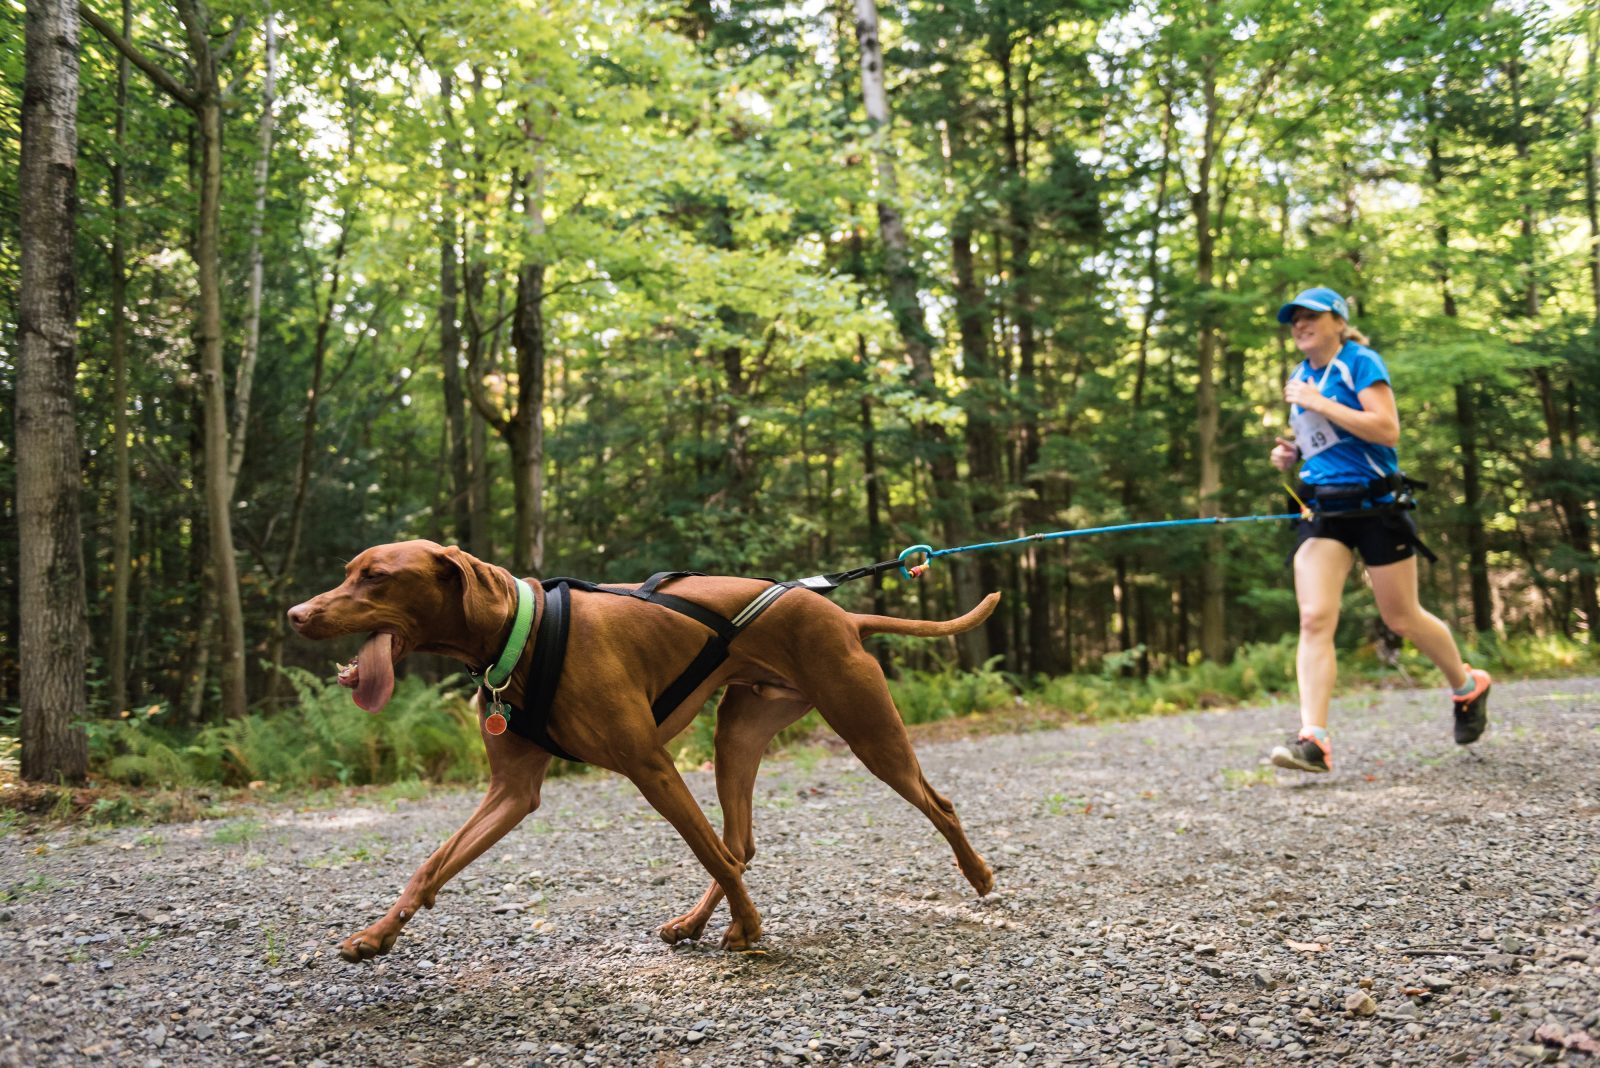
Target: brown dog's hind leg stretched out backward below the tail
{"type": "Point", "coordinates": [857, 703]}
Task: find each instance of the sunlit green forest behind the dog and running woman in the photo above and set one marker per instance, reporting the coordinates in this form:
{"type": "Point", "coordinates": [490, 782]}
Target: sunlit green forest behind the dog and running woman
{"type": "Point", "coordinates": [604, 289]}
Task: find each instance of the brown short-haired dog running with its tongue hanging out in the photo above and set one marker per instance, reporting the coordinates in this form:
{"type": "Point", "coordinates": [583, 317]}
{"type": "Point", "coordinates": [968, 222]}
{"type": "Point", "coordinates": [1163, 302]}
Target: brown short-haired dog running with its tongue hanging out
{"type": "Point", "coordinates": [802, 653]}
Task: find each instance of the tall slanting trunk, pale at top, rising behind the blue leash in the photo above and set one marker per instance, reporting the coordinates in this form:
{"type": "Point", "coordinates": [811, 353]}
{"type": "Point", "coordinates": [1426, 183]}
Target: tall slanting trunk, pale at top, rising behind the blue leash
{"type": "Point", "coordinates": [906, 306]}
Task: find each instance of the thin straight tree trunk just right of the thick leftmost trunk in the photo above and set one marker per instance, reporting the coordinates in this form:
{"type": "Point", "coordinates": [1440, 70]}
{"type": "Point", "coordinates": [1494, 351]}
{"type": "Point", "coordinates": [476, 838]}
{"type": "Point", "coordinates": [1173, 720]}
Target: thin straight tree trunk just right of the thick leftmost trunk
{"type": "Point", "coordinates": [122, 528]}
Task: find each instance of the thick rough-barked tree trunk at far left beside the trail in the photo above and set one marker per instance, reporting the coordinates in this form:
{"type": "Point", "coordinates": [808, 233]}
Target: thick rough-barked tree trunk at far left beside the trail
{"type": "Point", "coordinates": [54, 608]}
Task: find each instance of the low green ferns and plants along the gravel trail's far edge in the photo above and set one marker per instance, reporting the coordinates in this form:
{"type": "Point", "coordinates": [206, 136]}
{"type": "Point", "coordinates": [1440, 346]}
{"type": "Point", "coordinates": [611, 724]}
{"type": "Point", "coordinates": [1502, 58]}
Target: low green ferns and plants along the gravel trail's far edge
{"type": "Point", "coordinates": [324, 751]}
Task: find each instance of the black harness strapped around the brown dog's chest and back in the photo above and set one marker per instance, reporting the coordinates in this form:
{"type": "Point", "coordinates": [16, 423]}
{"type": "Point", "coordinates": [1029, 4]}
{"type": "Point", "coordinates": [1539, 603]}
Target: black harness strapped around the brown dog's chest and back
{"type": "Point", "coordinates": [550, 653]}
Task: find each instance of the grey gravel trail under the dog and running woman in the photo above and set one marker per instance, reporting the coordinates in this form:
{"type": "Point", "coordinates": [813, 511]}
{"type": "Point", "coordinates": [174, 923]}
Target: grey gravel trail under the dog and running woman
{"type": "Point", "coordinates": [1162, 899]}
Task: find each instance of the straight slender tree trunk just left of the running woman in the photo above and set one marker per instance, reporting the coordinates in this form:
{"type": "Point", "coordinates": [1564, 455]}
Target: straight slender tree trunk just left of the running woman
{"type": "Point", "coordinates": [1214, 624]}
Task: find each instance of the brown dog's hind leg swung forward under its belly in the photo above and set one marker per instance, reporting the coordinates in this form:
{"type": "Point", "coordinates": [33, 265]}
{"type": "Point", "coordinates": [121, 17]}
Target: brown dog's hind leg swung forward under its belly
{"type": "Point", "coordinates": [745, 725]}
